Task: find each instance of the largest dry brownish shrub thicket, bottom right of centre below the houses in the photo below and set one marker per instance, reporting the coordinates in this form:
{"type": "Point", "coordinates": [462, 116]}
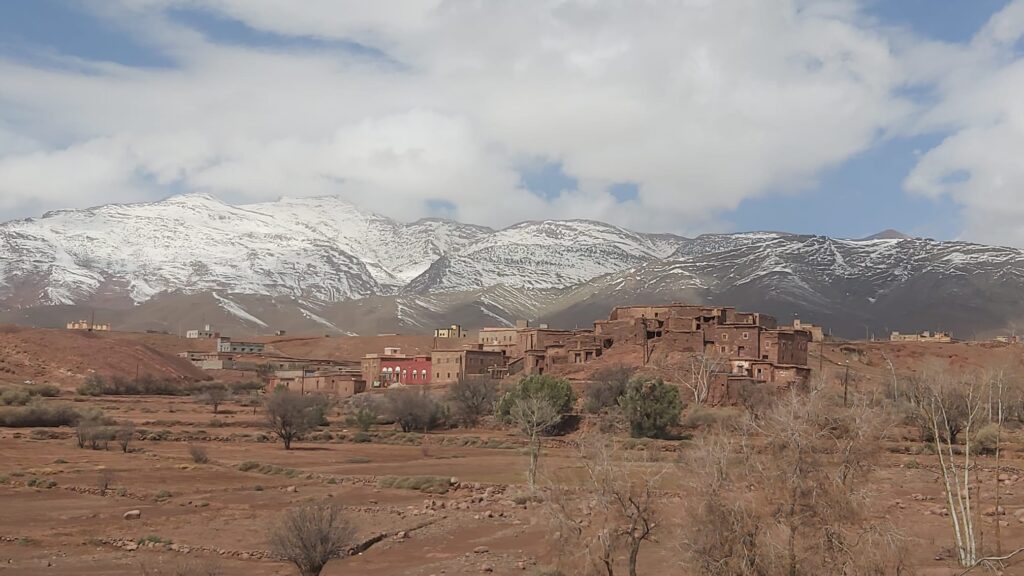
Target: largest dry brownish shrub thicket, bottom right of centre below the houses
{"type": "Point", "coordinates": [787, 495]}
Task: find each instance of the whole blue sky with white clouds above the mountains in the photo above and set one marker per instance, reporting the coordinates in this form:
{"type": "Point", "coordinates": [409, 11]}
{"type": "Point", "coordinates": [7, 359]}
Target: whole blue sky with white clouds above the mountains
{"type": "Point", "coordinates": [835, 117]}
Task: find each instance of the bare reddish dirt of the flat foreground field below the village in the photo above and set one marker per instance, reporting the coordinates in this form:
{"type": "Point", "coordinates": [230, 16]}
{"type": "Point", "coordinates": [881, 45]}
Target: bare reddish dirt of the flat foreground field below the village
{"type": "Point", "coordinates": [215, 513]}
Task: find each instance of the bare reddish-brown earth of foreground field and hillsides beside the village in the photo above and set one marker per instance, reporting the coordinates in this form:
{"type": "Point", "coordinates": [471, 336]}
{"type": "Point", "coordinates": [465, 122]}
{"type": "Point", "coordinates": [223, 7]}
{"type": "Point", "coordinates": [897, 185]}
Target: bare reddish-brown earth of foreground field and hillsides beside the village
{"type": "Point", "coordinates": [217, 513]}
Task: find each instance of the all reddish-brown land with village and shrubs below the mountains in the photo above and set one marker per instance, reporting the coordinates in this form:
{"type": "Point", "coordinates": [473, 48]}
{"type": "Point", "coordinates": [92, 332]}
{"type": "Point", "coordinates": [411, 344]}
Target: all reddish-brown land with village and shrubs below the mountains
{"type": "Point", "coordinates": [178, 463]}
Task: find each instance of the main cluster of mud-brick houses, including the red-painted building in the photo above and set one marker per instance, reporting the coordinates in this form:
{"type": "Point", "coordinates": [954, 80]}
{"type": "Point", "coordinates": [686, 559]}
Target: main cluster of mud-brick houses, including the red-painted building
{"type": "Point", "coordinates": [747, 348]}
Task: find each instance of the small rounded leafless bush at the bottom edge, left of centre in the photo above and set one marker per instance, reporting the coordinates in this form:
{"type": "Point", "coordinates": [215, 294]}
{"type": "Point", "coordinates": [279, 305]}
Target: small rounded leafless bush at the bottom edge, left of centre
{"type": "Point", "coordinates": [312, 536]}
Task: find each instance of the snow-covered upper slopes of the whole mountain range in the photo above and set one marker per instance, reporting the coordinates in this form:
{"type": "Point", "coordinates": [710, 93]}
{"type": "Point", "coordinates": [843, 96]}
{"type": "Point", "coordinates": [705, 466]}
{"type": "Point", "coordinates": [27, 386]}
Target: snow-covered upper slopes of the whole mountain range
{"type": "Point", "coordinates": [327, 251]}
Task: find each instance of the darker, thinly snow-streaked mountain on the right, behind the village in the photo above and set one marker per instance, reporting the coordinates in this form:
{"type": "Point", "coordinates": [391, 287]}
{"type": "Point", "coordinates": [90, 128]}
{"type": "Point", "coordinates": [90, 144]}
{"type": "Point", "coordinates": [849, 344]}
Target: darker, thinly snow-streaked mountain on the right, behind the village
{"type": "Point", "coordinates": [854, 286]}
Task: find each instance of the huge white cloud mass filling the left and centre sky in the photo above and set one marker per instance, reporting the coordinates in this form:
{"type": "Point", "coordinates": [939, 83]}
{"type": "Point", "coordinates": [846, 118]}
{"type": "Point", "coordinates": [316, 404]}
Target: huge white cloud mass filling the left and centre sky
{"type": "Point", "coordinates": [701, 104]}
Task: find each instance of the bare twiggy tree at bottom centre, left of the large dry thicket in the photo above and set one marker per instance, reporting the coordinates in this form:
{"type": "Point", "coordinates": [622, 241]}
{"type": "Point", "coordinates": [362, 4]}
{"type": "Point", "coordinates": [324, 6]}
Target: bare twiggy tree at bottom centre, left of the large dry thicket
{"type": "Point", "coordinates": [617, 513]}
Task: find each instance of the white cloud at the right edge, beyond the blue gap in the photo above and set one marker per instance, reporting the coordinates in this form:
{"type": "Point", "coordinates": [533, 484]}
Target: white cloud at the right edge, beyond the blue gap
{"type": "Point", "coordinates": [978, 166]}
